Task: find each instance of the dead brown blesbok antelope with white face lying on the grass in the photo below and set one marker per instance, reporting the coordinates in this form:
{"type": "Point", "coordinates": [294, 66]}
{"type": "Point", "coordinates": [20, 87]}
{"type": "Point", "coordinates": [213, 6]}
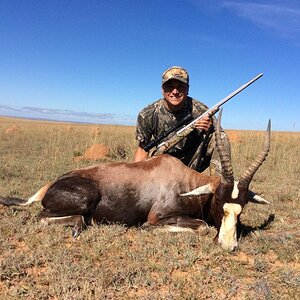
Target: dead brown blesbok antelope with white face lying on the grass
{"type": "Point", "coordinates": [158, 191]}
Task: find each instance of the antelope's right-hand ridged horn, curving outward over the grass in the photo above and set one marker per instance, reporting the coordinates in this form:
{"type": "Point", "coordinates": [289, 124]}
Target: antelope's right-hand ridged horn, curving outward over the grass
{"type": "Point", "coordinates": [249, 173]}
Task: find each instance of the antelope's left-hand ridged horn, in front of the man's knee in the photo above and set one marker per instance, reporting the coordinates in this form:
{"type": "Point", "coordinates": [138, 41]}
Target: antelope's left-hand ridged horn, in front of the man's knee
{"type": "Point", "coordinates": [227, 173]}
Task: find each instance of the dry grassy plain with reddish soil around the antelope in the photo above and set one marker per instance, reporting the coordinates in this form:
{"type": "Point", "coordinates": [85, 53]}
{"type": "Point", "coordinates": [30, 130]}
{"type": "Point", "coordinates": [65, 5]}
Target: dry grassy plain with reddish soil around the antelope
{"type": "Point", "coordinates": [115, 262]}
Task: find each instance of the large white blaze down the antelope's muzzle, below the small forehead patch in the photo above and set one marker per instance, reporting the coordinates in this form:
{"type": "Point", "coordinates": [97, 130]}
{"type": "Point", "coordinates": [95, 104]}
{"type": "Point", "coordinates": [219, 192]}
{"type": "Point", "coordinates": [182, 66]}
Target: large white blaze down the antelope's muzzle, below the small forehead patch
{"type": "Point", "coordinates": [227, 234]}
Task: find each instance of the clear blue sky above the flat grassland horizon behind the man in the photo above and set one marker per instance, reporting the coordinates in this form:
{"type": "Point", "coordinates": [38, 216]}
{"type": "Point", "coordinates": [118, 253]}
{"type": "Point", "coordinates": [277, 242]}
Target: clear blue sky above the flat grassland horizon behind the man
{"type": "Point", "coordinates": [101, 61]}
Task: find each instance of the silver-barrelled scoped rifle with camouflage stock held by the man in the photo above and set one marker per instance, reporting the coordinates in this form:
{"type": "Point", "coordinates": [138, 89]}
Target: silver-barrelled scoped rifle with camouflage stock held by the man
{"type": "Point", "coordinates": [184, 131]}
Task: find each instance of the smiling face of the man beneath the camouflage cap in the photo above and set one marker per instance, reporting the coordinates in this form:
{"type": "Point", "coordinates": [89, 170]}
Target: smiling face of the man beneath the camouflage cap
{"type": "Point", "coordinates": [175, 91]}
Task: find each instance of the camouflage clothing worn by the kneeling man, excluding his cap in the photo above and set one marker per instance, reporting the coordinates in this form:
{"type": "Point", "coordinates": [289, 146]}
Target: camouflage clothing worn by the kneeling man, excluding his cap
{"type": "Point", "coordinates": [155, 120]}
